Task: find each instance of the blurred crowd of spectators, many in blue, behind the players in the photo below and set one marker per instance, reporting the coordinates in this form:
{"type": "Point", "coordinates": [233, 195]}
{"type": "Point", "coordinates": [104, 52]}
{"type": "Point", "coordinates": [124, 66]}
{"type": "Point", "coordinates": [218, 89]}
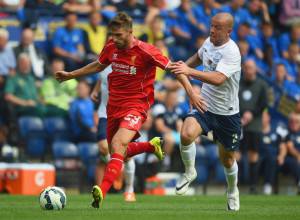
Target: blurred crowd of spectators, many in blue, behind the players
{"type": "Point", "coordinates": [267, 33]}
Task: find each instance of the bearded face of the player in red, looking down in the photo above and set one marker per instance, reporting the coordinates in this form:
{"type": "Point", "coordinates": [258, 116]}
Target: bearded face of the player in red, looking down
{"type": "Point", "coordinates": [121, 37]}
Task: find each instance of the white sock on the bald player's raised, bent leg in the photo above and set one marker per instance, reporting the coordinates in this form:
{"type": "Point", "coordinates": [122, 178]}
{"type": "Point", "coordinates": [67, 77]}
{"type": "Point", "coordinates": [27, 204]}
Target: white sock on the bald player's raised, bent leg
{"type": "Point", "coordinates": [188, 155]}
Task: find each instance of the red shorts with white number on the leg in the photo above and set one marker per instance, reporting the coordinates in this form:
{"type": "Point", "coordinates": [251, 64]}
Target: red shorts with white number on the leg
{"type": "Point", "coordinates": [120, 117]}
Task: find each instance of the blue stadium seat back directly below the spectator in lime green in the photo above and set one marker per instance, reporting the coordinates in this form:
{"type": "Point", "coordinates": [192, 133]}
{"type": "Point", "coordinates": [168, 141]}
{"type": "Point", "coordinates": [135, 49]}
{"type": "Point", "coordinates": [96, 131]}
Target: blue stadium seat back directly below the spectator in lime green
{"type": "Point", "coordinates": [57, 129]}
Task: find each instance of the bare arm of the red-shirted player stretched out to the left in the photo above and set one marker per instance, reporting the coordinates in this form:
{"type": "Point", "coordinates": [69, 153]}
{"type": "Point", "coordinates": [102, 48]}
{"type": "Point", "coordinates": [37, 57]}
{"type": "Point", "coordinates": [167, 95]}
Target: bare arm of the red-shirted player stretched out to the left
{"type": "Point", "coordinates": [86, 70]}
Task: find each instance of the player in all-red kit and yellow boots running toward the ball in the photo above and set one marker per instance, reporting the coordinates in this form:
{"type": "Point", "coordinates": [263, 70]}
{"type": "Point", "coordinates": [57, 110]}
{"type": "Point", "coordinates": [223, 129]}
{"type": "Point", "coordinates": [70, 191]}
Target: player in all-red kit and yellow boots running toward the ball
{"type": "Point", "coordinates": [131, 94]}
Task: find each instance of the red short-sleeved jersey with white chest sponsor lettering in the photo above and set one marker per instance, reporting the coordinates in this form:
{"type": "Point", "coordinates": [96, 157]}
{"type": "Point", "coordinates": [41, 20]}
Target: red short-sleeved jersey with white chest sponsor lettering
{"type": "Point", "coordinates": [131, 83]}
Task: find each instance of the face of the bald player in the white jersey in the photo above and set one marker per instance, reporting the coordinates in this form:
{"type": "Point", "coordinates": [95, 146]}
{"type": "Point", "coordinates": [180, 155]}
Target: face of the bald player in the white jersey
{"type": "Point", "coordinates": [219, 32]}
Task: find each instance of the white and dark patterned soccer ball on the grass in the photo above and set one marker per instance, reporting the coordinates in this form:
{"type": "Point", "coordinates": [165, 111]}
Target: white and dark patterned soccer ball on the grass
{"type": "Point", "coordinates": [53, 198]}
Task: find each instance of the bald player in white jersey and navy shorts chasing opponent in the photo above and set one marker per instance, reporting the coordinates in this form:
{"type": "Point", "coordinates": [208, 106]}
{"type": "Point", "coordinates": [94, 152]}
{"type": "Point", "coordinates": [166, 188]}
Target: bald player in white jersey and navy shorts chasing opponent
{"type": "Point", "coordinates": [217, 109]}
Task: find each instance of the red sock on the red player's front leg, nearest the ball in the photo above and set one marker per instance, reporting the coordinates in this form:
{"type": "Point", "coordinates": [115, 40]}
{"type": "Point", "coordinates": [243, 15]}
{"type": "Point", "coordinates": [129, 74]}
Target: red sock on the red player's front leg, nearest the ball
{"type": "Point", "coordinates": [112, 171]}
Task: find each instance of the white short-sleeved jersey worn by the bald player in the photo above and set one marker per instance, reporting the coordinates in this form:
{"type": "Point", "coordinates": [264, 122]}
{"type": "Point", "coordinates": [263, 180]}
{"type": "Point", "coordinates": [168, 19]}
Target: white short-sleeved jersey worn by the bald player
{"type": "Point", "coordinates": [226, 59]}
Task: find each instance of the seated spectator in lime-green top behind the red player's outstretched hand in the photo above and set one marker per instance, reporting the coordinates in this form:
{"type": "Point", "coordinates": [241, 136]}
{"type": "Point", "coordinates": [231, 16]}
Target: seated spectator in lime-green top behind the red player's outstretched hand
{"type": "Point", "coordinates": [57, 96]}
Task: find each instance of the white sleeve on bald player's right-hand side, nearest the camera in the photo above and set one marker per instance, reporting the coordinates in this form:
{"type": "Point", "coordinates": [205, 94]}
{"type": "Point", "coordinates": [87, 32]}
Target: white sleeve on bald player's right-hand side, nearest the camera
{"type": "Point", "coordinates": [230, 63]}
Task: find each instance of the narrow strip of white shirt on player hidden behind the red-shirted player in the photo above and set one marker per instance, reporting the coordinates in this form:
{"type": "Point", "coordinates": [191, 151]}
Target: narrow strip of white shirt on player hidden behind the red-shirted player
{"type": "Point", "coordinates": [104, 92]}
